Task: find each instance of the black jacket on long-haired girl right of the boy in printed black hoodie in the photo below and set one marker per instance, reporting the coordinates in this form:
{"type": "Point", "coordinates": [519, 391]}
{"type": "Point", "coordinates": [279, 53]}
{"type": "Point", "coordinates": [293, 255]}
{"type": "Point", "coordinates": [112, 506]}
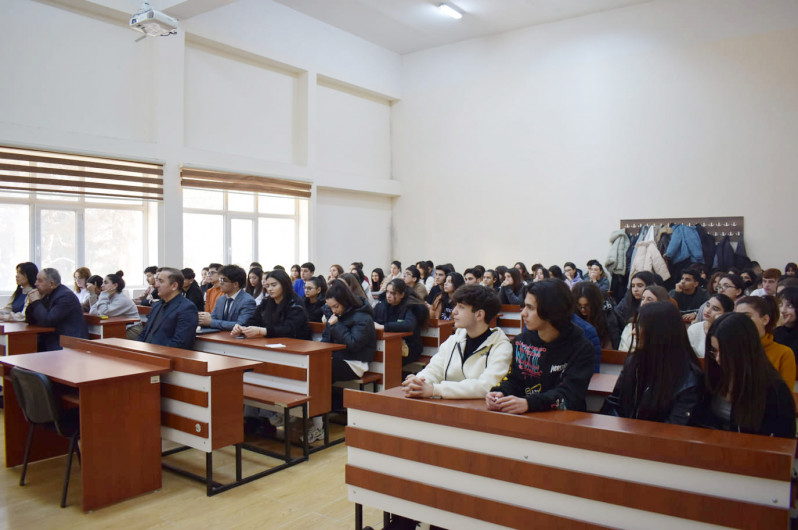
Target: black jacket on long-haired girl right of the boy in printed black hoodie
{"type": "Point", "coordinates": [626, 403]}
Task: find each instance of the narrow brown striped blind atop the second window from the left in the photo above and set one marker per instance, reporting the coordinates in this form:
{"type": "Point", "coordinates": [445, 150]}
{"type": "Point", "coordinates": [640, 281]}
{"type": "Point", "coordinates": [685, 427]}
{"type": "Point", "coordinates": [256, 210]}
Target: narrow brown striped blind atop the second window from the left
{"type": "Point", "coordinates": [219, 180]}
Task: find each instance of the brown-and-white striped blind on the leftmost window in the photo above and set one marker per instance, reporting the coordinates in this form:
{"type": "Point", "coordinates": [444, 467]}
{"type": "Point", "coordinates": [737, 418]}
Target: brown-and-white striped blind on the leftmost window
{"type": "Point", "coordinates": [47, 172]}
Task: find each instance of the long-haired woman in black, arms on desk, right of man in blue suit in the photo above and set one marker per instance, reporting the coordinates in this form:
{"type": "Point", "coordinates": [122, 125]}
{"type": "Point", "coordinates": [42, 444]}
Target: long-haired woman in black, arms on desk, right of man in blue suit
{"type": "Point", "coordinates": [282, 314]}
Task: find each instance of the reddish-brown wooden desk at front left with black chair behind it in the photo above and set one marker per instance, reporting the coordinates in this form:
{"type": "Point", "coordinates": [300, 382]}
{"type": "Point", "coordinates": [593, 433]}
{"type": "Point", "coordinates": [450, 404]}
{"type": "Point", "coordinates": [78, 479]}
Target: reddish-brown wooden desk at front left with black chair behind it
{"type": "Point", "coordinates": [119, 420]}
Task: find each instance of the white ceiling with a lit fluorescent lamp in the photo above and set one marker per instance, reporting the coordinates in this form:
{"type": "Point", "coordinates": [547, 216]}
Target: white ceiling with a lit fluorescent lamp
{"type": "Point", "coordinates": [407, 26]}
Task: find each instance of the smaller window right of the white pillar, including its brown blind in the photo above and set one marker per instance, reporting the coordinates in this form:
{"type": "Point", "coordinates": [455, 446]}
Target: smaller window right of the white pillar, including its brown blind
{"type": "Point", "coordinates": [262, 220]}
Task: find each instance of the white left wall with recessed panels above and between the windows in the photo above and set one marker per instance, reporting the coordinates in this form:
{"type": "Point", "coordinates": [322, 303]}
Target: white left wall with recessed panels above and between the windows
{"type": "Point", "coordinates": [235, 90]}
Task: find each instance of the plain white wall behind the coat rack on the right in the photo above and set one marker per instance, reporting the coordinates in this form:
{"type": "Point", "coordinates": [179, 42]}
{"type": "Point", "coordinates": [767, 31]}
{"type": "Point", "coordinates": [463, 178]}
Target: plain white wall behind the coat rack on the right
{"type": "Point", "coordinates": [532, 145]}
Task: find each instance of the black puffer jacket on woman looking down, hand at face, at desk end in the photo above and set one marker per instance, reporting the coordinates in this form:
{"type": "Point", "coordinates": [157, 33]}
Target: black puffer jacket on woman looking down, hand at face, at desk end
{"type": "Point", "coordinates": [355, 329]}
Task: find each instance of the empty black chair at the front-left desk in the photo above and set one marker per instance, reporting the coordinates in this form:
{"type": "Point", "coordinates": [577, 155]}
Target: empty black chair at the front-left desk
{"type": "Point", "coordinates": [34, 393]}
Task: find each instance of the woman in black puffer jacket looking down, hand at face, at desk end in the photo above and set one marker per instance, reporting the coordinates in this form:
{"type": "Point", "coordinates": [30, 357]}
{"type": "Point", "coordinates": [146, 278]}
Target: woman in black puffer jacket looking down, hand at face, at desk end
{"type": "Point", "coordinates": [351, 324]}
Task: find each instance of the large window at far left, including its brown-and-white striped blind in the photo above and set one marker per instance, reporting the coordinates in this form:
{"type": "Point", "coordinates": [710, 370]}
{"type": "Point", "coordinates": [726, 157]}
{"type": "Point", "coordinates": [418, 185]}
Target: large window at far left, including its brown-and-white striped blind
{"type": "Point", "coordinates": [66, 211]}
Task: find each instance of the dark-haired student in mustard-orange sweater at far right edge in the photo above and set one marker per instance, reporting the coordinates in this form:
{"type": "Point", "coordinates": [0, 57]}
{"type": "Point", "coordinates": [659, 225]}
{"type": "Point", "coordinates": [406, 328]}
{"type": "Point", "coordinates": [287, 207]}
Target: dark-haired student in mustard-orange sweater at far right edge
{"type": "Point", "coordinates": [764, 312]}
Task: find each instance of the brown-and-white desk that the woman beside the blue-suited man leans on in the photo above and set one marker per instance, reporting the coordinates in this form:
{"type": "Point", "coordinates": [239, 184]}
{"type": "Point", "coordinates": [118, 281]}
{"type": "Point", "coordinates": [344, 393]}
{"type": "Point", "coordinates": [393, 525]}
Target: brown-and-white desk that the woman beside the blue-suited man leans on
{"type": "Point", "coordinates": [301, 366]}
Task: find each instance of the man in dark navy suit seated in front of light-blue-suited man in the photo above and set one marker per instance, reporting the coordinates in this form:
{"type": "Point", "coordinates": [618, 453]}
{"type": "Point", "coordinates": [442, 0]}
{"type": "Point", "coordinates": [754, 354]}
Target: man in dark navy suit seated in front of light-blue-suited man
{"type": "Point", "coordinates": [172, 321]}
